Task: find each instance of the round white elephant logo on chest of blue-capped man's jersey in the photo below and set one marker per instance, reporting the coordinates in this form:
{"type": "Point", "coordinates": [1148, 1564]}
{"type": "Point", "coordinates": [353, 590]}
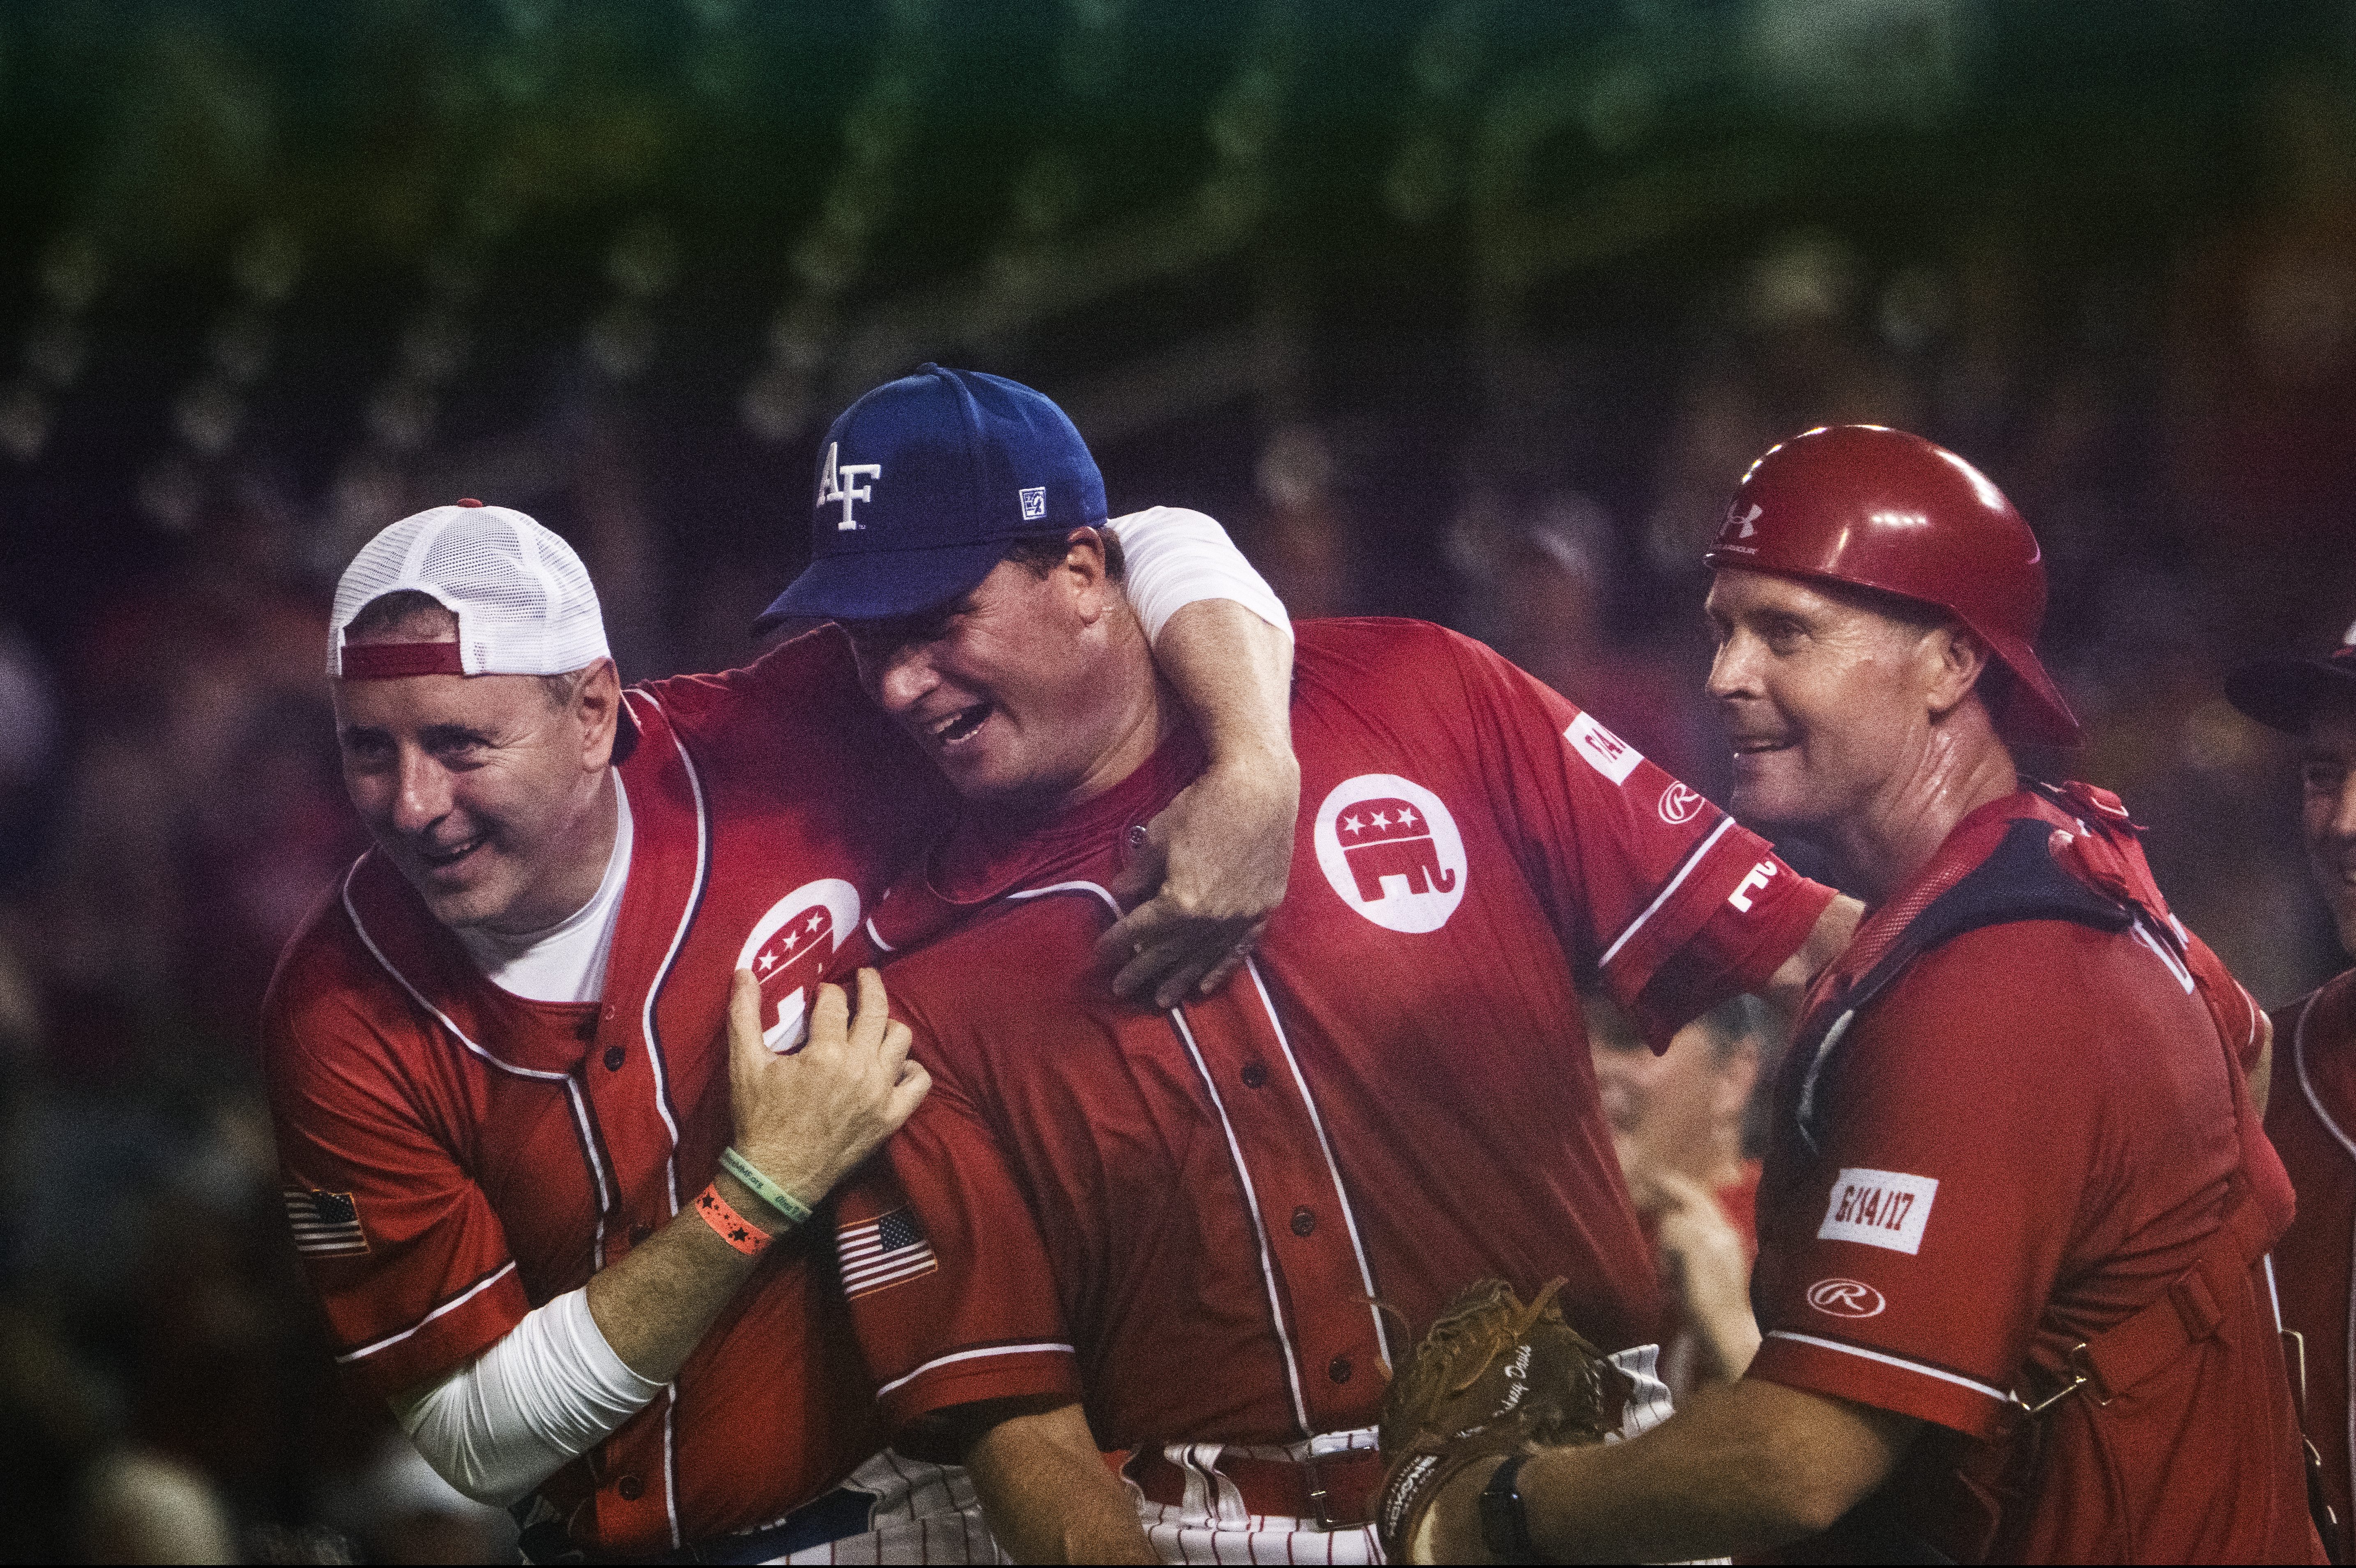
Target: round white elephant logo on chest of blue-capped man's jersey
{"type": "Point", "coordinates": [1391, 851]}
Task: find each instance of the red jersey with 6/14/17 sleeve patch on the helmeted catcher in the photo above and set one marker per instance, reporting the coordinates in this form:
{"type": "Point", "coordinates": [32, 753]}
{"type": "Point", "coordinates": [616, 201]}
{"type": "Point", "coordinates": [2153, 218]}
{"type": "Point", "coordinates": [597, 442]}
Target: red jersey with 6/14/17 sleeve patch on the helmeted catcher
{"type": "Point", "coordinates": [2020, 1143]}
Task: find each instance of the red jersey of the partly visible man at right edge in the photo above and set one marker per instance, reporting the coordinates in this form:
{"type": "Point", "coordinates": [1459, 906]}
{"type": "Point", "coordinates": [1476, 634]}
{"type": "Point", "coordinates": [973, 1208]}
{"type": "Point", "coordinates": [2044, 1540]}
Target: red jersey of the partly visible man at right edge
{"type": "Point", "coordinates": [2312, 1122]}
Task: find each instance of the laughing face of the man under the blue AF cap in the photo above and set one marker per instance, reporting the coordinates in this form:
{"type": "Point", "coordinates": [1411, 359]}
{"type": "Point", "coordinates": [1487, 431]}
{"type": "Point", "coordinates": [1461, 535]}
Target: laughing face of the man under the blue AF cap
{"type": "Point", "coordinates": [1028, 691]}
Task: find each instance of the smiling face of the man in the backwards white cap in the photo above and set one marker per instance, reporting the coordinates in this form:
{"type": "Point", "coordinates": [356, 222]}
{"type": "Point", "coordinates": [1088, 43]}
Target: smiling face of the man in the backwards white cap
{"type": "Point", "coordinates": [484, 792]}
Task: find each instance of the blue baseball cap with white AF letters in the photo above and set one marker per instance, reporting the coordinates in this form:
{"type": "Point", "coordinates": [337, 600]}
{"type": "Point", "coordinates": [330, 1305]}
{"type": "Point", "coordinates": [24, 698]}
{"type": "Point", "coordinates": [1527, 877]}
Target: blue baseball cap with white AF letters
{"type": "Point", "coordinates": [922, 486]}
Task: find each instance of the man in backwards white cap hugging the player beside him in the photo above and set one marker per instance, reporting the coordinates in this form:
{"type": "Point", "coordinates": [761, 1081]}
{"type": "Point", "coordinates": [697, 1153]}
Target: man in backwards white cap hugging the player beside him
{"type": "Point", "coordinates": [536, 1141]}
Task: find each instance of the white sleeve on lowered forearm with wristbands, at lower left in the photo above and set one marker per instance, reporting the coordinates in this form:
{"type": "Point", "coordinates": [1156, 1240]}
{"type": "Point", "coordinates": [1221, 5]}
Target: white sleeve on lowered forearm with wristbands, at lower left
{"type": "Point", "coordinates": [517, 1414]}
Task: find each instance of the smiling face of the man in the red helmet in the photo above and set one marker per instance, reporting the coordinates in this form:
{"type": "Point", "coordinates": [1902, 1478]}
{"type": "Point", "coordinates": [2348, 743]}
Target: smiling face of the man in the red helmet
{"type": "Point", "coordinates": [1827, 700]}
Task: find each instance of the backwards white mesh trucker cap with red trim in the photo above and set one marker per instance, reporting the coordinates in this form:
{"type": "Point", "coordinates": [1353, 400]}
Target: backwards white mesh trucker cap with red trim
{"type": "Point", "coordinates": [522, 597]}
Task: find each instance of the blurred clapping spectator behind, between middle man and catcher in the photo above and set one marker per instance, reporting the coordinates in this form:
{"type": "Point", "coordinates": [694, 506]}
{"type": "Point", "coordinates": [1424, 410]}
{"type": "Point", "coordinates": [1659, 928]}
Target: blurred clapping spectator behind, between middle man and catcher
{"type": "Point", "coordinates": [1686, 1131]}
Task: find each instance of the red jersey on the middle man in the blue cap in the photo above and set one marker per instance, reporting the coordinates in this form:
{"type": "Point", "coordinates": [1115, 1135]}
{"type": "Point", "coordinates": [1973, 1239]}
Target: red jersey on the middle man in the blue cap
{"type": "Point", "coordinates": [1217, 1223]}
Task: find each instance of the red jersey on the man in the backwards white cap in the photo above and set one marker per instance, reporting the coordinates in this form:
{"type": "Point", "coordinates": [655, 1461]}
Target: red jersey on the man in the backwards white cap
{"type": "Point", "coordinates": [456, 1157]}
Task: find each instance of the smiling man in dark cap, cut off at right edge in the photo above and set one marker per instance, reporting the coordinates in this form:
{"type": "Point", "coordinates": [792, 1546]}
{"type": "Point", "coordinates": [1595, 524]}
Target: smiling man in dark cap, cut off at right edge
{"type": "Point", "coordinates": [2312, 1105]}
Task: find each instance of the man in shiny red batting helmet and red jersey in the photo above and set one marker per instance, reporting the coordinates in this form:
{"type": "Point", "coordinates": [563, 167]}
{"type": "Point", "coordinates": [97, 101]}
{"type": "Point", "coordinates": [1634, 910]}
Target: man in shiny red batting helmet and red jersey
{"type": "Point", "coordinates": [2018, 1197]}
